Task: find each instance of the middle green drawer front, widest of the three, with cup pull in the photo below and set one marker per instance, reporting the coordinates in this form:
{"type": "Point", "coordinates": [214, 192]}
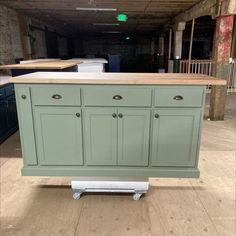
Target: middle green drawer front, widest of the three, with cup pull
{"type": "Point", "coordinates": [117, 97]}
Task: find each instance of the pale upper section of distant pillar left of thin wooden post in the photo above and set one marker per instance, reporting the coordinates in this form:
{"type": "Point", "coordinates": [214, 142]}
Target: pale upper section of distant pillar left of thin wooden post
{"type": "Point", "coordinates": [178, 38]}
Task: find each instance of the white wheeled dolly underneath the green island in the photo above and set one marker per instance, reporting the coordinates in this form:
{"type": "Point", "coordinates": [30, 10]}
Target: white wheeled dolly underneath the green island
{"type": "Point", "coordinates": [81, 185]}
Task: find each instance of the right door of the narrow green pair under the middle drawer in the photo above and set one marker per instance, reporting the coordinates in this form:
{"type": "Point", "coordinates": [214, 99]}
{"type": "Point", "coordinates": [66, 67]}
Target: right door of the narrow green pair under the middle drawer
{"type": "Point", "coordinates": [133, 137]}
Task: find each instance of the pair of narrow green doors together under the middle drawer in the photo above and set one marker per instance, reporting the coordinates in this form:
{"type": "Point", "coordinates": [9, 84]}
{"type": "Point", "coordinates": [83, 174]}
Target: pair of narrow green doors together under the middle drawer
{"type": "Point", "coordinates": [116, 137]}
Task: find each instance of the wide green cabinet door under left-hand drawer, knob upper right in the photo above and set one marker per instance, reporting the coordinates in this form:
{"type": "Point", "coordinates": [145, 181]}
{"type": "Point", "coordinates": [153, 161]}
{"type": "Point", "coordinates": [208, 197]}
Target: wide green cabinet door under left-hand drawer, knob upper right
{"type": "Point", "coordinates": [58, 136]}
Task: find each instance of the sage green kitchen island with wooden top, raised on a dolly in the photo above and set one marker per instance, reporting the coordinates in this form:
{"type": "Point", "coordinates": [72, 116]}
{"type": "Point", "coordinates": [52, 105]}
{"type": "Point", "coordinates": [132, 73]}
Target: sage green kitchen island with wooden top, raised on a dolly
{"type": "Point", "coordinates": [120, 125]}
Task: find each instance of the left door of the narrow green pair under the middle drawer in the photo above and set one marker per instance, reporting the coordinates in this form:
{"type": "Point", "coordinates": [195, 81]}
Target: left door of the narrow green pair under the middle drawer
{"type": "Point", "coordinates": [101, 136]}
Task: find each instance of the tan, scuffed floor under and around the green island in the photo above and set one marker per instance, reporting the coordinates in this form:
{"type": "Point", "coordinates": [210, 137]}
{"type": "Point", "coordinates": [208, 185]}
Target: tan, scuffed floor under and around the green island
{"type": "Point", "coordinates": [205, 206]}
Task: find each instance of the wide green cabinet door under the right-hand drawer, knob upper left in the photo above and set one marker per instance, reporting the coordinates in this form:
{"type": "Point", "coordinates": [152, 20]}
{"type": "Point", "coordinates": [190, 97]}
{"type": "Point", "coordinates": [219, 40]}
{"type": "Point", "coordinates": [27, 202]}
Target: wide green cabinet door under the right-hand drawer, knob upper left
{"type": "Point", "coordinates": [175, 137]}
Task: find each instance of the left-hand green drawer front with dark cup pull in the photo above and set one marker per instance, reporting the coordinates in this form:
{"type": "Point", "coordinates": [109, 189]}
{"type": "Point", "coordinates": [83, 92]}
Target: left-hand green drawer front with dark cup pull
{"type": "Point", "coordinates": [57, 96]}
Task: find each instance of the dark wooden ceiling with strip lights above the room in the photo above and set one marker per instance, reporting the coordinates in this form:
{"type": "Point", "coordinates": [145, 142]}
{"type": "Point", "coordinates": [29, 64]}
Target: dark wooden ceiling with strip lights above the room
{"type": "Point", "coordinates": [143, 15]}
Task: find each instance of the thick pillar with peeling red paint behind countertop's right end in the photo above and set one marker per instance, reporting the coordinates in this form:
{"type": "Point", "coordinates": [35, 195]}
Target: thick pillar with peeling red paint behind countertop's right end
{"type": "Point", "coordinates": [223, 41]}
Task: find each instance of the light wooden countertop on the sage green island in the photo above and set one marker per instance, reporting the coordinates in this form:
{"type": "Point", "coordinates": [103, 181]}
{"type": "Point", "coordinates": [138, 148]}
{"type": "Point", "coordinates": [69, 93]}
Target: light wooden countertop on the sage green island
{"type": "Point", "coordinates": [116, 78]}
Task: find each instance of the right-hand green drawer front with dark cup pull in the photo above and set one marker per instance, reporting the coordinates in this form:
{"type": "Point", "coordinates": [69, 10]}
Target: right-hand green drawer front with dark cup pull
{"type": "Point", "coordinates": [178, 97]}
